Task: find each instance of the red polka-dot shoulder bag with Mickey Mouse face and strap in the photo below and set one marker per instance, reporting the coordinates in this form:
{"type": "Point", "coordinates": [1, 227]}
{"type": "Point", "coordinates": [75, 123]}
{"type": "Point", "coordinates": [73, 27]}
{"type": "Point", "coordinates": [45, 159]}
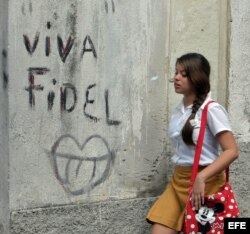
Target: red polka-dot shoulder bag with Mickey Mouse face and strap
{"type": "Point", "coordinates": [210, 216]}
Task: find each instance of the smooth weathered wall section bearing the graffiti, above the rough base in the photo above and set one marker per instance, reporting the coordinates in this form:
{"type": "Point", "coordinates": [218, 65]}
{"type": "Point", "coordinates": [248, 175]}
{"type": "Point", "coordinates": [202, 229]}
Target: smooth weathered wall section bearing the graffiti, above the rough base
{"type": "Point", "coordinates": [84, 125]}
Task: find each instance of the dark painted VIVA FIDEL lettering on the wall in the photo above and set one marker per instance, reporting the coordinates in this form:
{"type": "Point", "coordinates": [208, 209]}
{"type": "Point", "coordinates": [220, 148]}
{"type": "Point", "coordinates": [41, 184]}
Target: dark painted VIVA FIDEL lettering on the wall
{"type": "Point", "coordinates": [64, 48]}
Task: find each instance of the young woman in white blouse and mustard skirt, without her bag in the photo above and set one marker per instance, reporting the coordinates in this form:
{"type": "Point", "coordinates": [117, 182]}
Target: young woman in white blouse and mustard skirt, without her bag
{"type": "Point", "coordinates": [191, 79]}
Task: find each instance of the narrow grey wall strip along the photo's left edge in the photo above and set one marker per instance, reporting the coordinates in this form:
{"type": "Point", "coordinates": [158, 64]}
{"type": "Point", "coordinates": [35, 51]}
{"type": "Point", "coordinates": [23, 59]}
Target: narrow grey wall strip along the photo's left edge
{"type": "Point", "coordinates": [4, 155]}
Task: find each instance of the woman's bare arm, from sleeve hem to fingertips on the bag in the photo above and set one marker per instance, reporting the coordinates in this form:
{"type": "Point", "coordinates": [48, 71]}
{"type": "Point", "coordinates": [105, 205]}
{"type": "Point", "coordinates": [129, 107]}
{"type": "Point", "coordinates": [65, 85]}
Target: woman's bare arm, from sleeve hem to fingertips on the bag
{"type": "Point", "coordinates": [228, 155]}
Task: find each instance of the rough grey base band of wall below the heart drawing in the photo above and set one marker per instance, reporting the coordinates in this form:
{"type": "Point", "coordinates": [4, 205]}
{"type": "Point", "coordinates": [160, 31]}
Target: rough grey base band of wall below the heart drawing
{"type": "Point", "coordinates": [113, 217]}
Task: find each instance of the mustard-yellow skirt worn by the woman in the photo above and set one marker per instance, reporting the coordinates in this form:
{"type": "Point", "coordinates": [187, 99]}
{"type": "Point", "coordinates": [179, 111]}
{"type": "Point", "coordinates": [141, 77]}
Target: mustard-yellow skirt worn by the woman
{"type": "Point", "coordinates": [169, 209]}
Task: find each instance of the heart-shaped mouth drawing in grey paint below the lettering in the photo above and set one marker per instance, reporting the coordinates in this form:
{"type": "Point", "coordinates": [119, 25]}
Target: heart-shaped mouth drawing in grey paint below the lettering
{"type": "Point", "coordinates": [80, 168]}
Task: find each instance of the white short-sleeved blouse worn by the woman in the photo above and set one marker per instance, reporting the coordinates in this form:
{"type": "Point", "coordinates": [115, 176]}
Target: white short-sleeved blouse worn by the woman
{"type": "Point", "coordinates": [217, 121]}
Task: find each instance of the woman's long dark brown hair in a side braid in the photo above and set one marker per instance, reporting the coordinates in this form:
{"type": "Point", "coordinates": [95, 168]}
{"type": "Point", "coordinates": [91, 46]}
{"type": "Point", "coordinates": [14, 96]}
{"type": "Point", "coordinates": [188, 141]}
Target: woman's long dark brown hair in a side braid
{"type": "Point", "coordinates": [197, 69]}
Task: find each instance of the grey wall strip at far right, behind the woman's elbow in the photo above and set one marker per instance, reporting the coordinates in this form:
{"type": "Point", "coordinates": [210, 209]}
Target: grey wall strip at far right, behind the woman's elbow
{"type": "Point", "coordinates": [239, 97]}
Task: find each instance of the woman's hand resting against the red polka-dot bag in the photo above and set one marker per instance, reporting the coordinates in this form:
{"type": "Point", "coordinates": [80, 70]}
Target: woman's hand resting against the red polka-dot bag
{"type": "Point", "coordinates": [198, 192]}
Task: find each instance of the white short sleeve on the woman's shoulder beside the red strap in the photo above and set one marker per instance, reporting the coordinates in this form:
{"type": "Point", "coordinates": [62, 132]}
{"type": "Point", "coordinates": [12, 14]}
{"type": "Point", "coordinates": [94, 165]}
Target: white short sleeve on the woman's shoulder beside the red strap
{"type": "Point", "coordinates": [217, 119]}
